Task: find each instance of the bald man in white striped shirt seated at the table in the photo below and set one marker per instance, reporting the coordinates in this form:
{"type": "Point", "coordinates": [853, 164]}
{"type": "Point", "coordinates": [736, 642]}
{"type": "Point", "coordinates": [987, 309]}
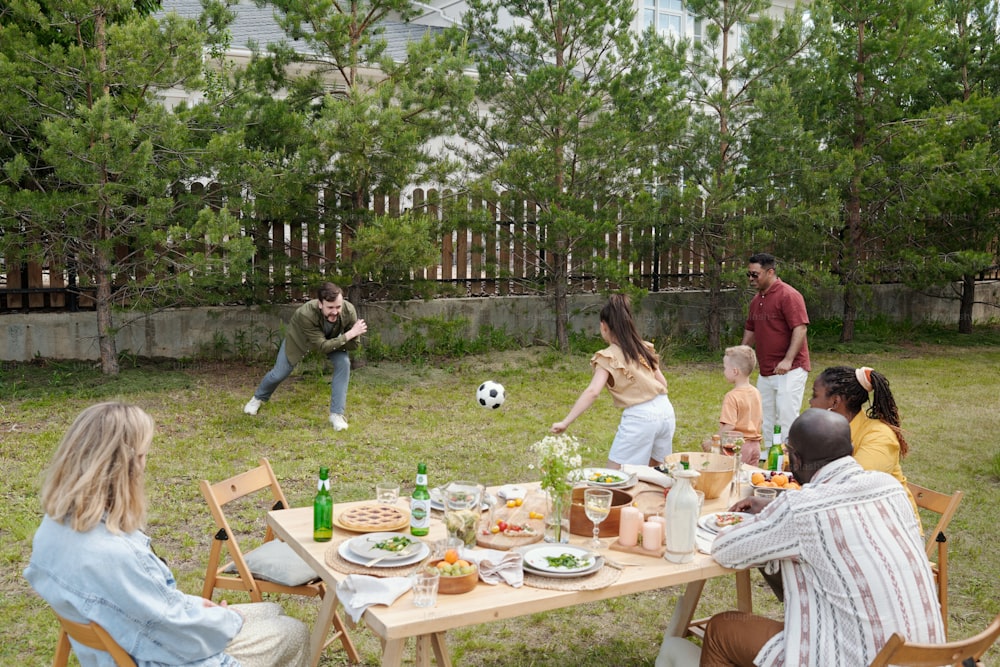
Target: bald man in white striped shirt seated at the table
{"type": "Point", "coordinates": [851, 555]}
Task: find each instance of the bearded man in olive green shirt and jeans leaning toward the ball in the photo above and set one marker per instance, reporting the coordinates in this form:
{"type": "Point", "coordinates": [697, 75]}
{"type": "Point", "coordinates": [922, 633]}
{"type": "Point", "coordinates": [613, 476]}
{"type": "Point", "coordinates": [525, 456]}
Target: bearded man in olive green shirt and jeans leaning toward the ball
{"type": "Point", "coordinates": [329, 325]}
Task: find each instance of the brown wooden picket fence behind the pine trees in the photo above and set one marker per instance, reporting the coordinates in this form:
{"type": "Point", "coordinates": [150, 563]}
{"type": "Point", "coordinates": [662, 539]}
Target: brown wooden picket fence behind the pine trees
{"type": "Point", "coordinates": [502, 261]}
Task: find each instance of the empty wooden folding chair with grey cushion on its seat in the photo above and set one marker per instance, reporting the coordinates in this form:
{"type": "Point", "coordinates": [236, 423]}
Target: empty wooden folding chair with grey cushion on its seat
{"type": "Point", "coordinates": [244, 572]}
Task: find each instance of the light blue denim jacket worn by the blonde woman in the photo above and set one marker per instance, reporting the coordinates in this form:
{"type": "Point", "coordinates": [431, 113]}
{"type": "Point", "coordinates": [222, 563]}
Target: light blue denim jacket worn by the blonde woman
{"type": "Point", "coordinates": [118, 582]}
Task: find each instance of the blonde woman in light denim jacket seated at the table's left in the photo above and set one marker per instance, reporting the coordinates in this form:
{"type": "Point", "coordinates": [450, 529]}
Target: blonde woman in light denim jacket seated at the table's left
{"type": "Point", "coordinates": [91, 562]}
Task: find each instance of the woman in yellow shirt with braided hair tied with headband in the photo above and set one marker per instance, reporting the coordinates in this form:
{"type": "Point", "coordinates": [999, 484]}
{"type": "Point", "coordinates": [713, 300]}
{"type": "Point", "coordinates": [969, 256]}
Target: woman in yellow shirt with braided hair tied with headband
{"type": "Point", "coordinates": [876, 434]}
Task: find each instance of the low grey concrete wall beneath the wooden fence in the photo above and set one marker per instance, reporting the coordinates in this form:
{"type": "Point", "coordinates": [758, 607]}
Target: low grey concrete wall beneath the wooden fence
{"type": "Point", "coordinates": [190, 332]}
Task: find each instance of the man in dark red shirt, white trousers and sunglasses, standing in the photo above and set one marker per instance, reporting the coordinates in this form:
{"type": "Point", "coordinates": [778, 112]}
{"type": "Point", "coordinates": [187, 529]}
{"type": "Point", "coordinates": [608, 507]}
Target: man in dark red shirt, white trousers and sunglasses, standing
{"type": "Point", "coordinates": [776, 327]}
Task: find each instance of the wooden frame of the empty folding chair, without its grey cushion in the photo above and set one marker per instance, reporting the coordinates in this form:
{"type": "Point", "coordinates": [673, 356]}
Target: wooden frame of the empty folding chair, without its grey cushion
{"type": "Point", "coordinates": [257, 480]}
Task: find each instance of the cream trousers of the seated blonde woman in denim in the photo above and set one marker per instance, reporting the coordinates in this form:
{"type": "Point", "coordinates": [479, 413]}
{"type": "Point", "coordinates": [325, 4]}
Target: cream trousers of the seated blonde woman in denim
{"type": "Point", "coordinates": [269, 638]}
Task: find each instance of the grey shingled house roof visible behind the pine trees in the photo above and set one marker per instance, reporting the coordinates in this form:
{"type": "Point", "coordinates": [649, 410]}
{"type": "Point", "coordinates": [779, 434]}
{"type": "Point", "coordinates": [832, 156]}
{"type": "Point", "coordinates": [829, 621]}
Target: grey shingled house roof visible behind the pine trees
{"type": "Point", "coordinates": [253, 23]}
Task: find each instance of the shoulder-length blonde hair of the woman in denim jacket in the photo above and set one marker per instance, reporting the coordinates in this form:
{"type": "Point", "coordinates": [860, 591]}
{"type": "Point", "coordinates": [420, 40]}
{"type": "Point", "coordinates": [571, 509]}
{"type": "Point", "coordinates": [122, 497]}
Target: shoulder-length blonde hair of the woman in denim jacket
{"type": "Point", "coordinates": [98, 469]}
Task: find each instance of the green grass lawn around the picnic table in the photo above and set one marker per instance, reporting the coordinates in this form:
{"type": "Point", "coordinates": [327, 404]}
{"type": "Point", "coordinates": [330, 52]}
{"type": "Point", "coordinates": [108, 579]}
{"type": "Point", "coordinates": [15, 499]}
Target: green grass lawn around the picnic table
{"type": "Point", "coordinates": [404, 413]}
